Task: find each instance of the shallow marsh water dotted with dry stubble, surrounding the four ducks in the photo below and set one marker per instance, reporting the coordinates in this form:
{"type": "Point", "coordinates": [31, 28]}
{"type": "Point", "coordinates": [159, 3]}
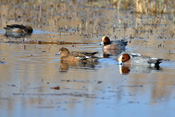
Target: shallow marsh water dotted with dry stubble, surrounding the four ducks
{"type": "Point", "coordinates": [34, 82]}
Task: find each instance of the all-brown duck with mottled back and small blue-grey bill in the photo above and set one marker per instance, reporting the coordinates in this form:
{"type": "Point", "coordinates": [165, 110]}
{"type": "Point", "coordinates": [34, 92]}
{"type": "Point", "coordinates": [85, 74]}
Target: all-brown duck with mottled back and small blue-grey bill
{"type": "Point", "coordinates": [67, 56]}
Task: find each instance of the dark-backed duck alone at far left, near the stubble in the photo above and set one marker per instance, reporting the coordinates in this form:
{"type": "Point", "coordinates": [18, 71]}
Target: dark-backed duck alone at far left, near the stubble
{"type": "Point", "coordinates": [17, 28]}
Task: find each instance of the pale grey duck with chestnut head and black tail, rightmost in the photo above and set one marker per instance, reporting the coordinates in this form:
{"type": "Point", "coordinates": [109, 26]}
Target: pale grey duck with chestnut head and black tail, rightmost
{"type": "Point", "coordinates": [129, 58]}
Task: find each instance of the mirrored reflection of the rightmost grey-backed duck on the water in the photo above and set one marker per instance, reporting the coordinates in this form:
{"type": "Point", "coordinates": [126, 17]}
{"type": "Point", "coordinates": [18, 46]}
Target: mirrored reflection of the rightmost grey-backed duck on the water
{"type": "Point", "coordinates": [126, 69]}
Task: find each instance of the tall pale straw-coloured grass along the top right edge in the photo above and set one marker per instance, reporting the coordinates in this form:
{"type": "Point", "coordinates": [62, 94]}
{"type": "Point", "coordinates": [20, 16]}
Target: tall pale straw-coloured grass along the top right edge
{"type": "Point", "coordinates": [146, 6]}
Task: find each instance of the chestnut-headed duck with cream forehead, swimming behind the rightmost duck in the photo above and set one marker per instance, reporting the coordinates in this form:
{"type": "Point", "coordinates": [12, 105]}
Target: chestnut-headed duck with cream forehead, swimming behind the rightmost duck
{"type": "Point", "coordinates": [113, 47]}
